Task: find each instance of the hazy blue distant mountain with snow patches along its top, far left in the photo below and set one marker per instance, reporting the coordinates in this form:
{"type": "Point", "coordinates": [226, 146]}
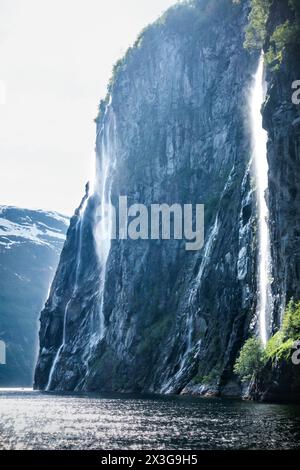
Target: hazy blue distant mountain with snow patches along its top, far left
{"type": "Point", "coordinates": [30, 246]}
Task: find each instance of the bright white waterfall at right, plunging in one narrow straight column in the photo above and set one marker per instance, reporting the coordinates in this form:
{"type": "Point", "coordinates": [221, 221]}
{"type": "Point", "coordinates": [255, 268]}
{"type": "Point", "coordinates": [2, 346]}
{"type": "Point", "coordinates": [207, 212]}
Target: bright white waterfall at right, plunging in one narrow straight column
{"type": "Point", "coordinates": [259, 148]}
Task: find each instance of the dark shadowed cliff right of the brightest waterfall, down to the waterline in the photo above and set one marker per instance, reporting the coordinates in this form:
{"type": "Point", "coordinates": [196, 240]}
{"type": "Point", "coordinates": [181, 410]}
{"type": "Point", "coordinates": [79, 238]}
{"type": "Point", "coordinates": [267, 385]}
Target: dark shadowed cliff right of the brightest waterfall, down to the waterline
{"type": "Point", "coordinates": [281, 381]}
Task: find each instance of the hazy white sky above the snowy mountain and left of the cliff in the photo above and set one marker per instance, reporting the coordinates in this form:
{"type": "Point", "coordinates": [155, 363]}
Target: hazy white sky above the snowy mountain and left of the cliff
{"type": "Point", "coordinates": [56, 58]}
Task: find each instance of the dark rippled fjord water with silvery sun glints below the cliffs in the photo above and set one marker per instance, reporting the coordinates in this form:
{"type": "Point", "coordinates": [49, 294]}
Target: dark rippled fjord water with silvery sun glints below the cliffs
{"type": "Point", "coordinates": [32, 420]}
